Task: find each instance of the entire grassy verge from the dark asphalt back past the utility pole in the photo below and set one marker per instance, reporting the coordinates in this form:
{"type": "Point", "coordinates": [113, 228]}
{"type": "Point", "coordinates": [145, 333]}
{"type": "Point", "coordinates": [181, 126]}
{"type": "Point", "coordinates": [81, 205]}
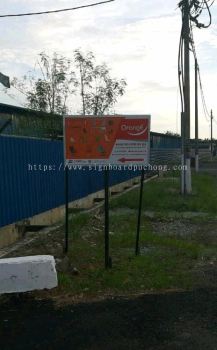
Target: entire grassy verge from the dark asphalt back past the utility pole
{"type": "Point", "coordinates": [174, 248]}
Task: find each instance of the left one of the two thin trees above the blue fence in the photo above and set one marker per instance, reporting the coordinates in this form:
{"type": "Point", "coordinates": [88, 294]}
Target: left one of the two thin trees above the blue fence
{"type": "Point", "coordinates": [50, 92]}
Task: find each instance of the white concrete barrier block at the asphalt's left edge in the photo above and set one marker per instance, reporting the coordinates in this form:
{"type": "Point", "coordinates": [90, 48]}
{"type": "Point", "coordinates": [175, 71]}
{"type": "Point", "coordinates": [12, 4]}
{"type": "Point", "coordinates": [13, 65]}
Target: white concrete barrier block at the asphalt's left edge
{"type": "Point", "coordinates": [27, 273]}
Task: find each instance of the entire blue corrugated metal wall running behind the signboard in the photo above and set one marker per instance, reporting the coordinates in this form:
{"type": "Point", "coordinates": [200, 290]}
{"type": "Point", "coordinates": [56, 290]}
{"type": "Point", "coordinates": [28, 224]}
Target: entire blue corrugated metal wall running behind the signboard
{"type": "Point", "coordinates": [25, 192]}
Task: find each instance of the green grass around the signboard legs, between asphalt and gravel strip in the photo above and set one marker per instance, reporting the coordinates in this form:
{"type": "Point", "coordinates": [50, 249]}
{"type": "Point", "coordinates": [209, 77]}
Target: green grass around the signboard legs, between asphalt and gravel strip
{"type": "Point", "coordinates": [166, 263]}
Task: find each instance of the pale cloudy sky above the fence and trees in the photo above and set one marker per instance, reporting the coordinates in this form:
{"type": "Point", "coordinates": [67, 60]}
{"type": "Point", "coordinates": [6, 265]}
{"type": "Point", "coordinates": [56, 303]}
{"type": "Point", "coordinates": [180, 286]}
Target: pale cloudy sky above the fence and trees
{"type": "Point", "coordinates": [138, 39]}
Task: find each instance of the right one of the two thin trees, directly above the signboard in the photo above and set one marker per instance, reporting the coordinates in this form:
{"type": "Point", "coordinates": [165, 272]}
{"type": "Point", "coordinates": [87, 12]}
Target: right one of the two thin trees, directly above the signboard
{"type": "Point", "coordinates": [99, 91]}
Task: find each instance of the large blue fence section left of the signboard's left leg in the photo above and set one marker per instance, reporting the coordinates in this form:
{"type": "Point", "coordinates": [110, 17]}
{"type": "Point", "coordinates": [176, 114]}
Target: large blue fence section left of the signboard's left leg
{"type": "Point", "coordinates": [27, 187]}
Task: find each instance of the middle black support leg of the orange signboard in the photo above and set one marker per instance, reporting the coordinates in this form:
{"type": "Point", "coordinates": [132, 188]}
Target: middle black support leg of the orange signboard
{"type": "Point", "coordinates": [108, 262]}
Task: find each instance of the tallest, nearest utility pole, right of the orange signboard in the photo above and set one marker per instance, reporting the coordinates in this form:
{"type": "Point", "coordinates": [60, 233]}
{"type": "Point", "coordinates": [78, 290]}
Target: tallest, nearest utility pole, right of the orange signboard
{"type": "Point", "coordinates": [186, 126]}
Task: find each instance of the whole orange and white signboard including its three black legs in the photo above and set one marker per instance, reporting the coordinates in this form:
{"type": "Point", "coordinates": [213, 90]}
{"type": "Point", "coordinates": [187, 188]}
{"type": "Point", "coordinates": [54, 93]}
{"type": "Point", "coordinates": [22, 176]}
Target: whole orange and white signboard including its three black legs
{"type": "Point", "coordinates": [125, 140]}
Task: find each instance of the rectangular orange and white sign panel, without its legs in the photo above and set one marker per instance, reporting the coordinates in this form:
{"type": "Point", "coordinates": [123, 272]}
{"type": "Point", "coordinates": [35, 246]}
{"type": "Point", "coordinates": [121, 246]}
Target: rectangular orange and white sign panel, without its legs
{"type": "Point", "coordinates": [115, 140]}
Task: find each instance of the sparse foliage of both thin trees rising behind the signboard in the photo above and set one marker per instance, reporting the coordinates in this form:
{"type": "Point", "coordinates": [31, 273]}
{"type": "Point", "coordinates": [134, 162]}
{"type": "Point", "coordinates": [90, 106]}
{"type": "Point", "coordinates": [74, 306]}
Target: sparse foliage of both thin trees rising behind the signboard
{"type": "Point", "coordinates": [58, 82]}
